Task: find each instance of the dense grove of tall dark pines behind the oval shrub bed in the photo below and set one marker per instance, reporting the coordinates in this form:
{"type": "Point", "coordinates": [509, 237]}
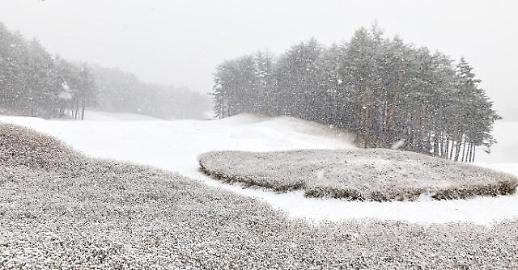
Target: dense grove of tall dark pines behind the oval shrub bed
{"type": "Point", "coordinates": [387, 91]}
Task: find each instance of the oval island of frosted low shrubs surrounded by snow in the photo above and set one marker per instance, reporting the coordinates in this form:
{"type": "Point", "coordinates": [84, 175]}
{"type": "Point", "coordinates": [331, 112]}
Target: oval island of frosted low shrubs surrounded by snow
{"type": "Point", "coordinates": [372, 174]}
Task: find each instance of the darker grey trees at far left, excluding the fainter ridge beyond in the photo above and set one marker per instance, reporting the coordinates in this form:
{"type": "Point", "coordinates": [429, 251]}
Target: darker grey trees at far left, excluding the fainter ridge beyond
{"type": "Point", "coordinates": [34, 83]}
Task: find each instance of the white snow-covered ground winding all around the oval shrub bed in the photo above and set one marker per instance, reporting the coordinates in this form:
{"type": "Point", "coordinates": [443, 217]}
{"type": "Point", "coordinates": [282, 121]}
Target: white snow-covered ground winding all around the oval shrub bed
{"type": "Point", "coordinates": [175, 145]}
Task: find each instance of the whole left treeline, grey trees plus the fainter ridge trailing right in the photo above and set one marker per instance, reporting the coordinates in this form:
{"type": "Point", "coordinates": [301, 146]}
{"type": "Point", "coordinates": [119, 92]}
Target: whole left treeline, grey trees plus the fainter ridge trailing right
{"type": "Point", "coordinates": [35, 83]}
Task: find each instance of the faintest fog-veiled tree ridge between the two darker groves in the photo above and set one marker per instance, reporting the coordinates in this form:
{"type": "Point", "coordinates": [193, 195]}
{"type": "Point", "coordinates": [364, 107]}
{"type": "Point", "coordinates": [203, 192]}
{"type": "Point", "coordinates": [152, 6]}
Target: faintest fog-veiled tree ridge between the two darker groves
{"type": "Point", "coordinates": [120, 91]}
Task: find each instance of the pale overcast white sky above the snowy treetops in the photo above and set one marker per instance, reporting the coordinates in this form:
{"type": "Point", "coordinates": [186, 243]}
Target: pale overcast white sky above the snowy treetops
{"type": "Point", "coordinates": [181, 41]}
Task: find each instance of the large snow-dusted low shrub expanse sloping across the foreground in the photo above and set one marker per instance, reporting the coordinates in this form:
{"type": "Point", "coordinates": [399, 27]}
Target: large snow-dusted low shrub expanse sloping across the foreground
{"type": "Point", "coordinates": [60, 210]}
